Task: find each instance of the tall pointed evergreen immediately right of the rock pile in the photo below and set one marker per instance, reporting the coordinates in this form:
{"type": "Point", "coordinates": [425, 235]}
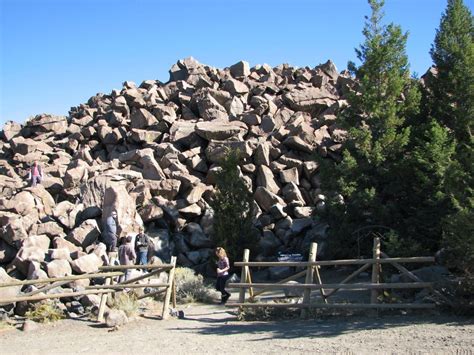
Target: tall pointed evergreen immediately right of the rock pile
{"type": "Point", "coordinates": [375, 118]}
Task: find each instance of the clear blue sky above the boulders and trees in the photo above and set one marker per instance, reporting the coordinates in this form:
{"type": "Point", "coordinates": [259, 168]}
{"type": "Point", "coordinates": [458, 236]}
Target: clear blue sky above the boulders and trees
{"type": "Point", "coordinates": [55, 54]}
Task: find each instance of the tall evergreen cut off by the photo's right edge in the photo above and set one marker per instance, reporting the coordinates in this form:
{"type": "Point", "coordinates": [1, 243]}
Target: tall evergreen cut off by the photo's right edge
{"type": "Point", "coordinates": [450, 96]}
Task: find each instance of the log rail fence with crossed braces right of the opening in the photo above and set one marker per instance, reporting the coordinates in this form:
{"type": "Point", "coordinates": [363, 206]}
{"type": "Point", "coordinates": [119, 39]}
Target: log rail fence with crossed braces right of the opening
{"type": "Point", "coordinates": [313, 281]}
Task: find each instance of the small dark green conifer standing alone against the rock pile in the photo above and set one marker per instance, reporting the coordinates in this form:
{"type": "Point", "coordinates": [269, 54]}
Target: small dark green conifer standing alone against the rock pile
{"type": "Point", "coordinates": [233, 209]}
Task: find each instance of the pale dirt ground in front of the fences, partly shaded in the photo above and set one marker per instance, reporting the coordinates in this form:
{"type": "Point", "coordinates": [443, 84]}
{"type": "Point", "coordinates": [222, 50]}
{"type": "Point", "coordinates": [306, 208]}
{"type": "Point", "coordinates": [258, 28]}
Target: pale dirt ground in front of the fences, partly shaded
{"type": "Point", "coordinates": [209, 329]}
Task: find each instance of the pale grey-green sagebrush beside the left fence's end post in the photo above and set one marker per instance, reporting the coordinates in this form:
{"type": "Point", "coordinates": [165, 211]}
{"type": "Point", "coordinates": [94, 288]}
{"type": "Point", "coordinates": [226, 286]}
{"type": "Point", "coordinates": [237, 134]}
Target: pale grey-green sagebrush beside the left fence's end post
{"type": "Point", "coordinates": [190, 287]}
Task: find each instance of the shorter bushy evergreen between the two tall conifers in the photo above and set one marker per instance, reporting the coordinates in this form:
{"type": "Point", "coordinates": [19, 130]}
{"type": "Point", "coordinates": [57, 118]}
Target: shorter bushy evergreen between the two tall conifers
{"type": "Point", "coordinates": [422, 200]}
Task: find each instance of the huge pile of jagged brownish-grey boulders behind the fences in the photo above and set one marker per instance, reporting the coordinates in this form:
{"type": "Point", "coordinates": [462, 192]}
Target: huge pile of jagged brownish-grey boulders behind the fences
{"type": "Point", "coordinates": [151, 152]}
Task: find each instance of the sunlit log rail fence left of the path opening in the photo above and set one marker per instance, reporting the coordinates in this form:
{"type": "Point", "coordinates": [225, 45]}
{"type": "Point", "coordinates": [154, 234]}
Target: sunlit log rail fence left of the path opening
{"type": "Point", "coordinates": [110, 273]}
